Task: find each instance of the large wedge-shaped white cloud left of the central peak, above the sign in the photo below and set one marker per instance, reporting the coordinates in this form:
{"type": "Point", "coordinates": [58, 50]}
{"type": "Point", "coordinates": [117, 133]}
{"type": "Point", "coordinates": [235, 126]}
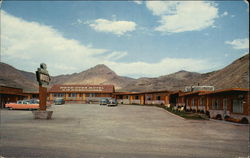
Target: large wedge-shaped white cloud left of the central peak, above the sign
{"type": "Point", "coordinates": [24, 42]}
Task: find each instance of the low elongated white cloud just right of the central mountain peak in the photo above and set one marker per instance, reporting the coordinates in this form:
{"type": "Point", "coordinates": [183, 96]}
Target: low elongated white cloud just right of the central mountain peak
{"type": "Point", "coordinates": [163, 67]}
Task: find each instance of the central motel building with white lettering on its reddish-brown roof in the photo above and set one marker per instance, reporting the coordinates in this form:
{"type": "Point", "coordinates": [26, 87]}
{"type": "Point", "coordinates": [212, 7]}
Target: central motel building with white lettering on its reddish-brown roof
{"type": "Point", "coordinates": [80, 93]}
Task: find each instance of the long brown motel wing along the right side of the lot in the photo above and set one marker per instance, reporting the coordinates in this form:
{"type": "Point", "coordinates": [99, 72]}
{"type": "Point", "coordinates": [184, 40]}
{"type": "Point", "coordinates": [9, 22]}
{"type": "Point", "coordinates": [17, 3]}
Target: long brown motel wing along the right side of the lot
{"type": "Point", "coordinates": [219, 104]}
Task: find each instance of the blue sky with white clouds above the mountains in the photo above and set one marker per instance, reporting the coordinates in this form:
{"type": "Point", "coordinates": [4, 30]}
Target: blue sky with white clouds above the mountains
{"type": "Point", "coordinates": [133, 38]}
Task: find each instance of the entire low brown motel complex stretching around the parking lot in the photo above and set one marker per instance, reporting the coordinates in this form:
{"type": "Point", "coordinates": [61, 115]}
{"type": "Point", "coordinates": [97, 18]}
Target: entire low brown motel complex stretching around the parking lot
{"type": "Point", "coordinates": [219, 104]}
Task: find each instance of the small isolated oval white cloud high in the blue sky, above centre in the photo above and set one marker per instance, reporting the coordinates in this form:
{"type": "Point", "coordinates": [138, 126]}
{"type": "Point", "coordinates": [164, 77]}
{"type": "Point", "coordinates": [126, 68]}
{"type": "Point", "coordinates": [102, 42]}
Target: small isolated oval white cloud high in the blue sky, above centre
{"type": "Point", "coordinates": [115, 27]}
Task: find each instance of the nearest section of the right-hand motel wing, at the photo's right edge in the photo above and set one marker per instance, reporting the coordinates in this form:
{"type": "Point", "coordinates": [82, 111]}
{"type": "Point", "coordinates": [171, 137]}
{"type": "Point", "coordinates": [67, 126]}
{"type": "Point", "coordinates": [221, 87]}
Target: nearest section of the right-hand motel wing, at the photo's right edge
{"type": "Point", "coordinates": [226, 103]}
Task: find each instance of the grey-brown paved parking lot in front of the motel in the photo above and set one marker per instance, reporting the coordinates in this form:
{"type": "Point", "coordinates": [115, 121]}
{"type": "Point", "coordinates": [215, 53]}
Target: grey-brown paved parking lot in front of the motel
{"type": "Point", "coordinates": [81, 130]}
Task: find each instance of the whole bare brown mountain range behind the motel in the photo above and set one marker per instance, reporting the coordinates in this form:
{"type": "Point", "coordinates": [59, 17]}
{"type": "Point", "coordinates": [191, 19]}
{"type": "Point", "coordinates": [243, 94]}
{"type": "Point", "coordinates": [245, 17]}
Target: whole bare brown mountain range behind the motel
{"type": "Point", "coordinates": [234, 75]}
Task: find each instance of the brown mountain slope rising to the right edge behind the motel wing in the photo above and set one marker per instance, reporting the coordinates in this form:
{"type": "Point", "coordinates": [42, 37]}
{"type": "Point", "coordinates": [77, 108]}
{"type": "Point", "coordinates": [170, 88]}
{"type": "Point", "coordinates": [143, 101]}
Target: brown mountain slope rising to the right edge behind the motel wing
{"type": "Point", "coordinates": [234, 75]}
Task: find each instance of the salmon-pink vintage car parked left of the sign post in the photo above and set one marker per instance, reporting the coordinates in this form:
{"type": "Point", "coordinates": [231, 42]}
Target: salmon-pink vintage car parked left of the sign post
{"type": "Point", "coordinates": [24, 104]}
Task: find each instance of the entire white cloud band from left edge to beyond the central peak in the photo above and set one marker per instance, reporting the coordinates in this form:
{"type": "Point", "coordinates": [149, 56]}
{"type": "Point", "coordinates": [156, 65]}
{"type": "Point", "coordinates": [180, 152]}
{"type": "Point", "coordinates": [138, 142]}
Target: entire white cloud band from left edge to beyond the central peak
{"type": "Point", "coordinates": [27, 44]}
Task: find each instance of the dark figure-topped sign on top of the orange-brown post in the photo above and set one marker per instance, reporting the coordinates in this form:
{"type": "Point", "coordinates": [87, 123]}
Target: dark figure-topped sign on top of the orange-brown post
{"type": "Point", "coordinates": [42, 75]}
